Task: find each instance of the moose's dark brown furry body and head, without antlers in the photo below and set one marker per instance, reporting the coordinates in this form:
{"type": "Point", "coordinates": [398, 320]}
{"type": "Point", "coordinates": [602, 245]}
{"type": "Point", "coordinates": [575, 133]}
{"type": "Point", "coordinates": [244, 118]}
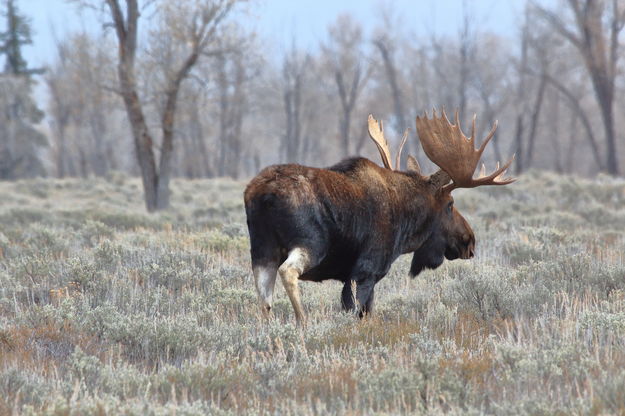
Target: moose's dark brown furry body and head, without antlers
{"type": "Point", "coordinates": [353, 220]}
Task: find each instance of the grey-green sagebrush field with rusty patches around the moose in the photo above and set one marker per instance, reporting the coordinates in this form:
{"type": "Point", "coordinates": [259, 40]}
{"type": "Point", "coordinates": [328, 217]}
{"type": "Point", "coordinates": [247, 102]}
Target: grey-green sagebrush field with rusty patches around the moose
{"type": "Point", "coordinates": [107, 310]}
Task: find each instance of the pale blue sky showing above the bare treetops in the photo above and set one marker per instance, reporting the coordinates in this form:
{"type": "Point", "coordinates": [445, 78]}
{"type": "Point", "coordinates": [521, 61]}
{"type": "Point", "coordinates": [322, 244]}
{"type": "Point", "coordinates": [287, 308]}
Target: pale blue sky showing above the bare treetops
{"type": "Point", "coordinates": [277, 21]}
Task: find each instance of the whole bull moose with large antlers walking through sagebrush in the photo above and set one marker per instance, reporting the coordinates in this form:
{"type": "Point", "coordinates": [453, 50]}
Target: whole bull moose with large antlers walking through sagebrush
{"type": "Point", "coordinates": [350, 221]}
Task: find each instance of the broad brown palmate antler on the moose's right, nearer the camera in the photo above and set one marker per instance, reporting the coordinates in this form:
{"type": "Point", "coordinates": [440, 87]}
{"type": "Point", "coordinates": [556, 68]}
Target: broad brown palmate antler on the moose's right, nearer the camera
{"type": "Point", "coordinates": [446, 145]}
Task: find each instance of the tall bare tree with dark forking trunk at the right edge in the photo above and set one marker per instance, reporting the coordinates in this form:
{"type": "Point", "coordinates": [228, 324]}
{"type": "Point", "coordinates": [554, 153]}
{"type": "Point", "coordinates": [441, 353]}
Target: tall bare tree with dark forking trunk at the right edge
{"type": "Point", "coordinates": [594, 31]}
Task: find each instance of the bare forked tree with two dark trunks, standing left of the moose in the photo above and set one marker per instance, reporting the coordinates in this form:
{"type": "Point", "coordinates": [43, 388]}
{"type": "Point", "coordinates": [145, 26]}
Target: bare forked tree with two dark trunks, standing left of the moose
{"type": "Point", "coordinates": [195, 25]}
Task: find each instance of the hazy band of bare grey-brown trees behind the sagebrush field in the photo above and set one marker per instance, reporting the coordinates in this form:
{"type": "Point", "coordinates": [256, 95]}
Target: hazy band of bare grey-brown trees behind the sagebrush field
{"type": "Point", "coordinates": [245, 102]}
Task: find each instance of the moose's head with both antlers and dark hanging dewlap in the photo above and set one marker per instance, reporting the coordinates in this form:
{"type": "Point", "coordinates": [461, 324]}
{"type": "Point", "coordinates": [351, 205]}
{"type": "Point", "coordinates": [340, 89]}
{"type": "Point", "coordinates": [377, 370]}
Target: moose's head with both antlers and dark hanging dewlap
{"type": "Point", "coordinates": [446, 146]}
